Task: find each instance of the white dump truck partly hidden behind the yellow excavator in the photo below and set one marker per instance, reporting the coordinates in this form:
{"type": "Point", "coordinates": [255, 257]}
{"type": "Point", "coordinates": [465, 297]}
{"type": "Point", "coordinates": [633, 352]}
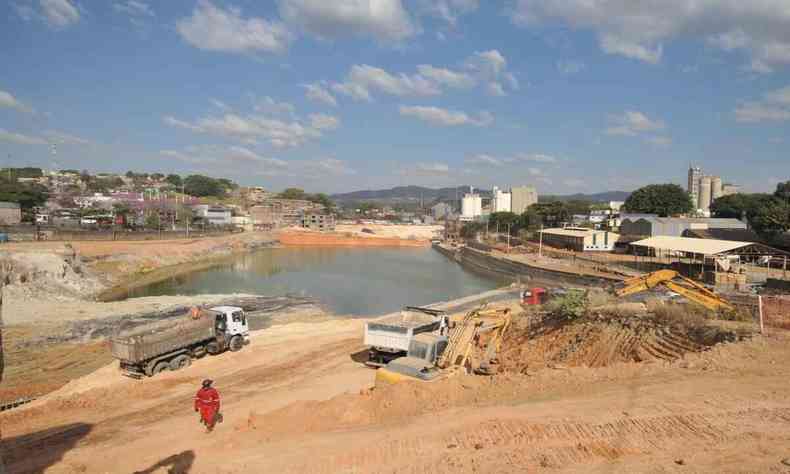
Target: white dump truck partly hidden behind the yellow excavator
{"type": "Point", "coordinates": [390, 337]}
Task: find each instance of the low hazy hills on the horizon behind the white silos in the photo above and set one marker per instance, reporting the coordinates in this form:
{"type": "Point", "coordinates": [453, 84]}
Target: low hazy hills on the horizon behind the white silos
{"type": "Point", "coordinates": [415, 193]}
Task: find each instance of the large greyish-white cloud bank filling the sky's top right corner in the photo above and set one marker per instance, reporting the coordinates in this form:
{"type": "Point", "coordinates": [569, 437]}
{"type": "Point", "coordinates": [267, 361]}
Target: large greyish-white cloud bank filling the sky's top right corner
{"type": "Point", "coordinates": [638, 29]}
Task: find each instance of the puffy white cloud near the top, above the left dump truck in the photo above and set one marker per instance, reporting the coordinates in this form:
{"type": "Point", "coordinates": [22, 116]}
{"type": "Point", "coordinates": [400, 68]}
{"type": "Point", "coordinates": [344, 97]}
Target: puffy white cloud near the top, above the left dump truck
{"type": "Point", "coordinates": [214, 29]}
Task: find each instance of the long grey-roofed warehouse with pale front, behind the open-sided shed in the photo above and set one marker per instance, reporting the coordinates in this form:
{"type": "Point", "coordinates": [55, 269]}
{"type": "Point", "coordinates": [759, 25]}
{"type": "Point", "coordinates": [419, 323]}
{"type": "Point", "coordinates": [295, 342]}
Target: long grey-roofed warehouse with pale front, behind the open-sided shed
{"type": "Point", "coordinates": [650, 225]}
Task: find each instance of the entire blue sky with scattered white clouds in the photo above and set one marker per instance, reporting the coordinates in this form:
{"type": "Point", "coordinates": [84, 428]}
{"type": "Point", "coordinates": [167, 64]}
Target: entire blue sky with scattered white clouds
{"type": "Point", "coordinates": [332, 96]}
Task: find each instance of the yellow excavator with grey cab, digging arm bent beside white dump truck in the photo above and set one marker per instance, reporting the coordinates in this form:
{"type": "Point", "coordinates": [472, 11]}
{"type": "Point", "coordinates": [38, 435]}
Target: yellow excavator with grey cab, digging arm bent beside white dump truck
{"type": "Point", "coordinates": [433, 356]}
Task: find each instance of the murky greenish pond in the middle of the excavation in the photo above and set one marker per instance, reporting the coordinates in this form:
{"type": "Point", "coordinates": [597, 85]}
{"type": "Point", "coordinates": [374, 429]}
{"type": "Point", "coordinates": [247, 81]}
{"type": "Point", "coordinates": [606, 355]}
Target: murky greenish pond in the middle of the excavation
{"type": "Point", "coordinates": [347, 281]}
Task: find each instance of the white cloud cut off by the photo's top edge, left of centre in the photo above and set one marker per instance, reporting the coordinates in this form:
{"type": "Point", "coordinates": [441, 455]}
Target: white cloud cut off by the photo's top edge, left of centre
{"type": "Point", "coordinates": [385, 20]}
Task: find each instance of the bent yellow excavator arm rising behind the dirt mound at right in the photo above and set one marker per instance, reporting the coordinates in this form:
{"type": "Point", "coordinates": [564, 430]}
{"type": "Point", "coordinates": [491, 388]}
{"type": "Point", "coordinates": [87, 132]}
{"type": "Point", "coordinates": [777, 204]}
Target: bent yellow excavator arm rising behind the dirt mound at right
{"type": "Point", "coordinates": [677, 283]}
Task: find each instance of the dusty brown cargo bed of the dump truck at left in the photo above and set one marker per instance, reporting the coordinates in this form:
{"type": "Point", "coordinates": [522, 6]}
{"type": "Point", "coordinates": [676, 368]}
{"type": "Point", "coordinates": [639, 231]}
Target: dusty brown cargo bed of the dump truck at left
{"type": "Point", "coordinates": [150, 340]}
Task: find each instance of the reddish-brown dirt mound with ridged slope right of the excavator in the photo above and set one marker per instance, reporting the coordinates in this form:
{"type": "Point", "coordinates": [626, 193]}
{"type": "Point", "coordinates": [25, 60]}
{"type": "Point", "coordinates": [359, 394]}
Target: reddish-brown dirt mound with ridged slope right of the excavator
{"type": "Point", "coordinates": [600, 341]}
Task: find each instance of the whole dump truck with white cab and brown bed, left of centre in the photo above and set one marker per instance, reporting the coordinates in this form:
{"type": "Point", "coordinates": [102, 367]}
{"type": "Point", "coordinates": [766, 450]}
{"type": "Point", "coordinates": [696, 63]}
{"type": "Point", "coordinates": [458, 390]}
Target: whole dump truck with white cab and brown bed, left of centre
{"type": "Point", "coordinates": [172, 344]}
